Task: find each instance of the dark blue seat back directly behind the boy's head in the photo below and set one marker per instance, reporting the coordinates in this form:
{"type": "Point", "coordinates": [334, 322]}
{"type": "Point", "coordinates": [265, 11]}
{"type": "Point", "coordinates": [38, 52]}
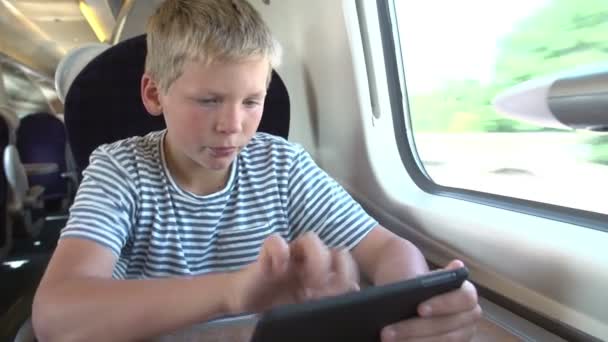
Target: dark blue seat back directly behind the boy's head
{"type": "Point", "coordinates": [104, 104]}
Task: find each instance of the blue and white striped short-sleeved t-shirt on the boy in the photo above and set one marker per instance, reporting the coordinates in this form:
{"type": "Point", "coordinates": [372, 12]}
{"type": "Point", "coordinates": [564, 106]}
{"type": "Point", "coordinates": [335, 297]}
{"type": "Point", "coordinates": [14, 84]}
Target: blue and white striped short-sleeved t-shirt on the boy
{"type": "Point", "coordinates": [129, 203]}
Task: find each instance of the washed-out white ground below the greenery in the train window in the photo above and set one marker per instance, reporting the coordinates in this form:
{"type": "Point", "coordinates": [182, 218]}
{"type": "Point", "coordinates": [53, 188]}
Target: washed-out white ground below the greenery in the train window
{"type": "Point", "coordinates": [545, 167]}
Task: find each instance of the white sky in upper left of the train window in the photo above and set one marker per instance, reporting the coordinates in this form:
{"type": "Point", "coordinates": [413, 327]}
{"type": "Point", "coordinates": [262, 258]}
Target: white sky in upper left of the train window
{"type": "Point", "coordinates": [448, 39]}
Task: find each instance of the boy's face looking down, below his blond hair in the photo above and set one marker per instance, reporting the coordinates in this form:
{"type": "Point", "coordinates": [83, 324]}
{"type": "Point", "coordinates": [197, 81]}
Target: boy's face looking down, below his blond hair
{"type": "Point", "coordinates": [212, 111]}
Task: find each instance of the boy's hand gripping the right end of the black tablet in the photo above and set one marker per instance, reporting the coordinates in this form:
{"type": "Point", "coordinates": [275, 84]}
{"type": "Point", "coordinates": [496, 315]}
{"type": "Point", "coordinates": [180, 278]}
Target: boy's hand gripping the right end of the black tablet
{"type": "Point", "coordinates": [448, 317]}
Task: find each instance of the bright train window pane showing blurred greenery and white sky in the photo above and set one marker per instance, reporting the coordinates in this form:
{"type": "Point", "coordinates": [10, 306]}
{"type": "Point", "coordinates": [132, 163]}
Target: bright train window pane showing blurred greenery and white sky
{"type": "Point", "coordinates": [459, 56]}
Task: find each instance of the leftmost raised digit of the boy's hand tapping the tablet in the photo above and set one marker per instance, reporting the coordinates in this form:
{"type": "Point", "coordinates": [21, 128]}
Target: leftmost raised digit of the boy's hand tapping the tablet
{"type": "Point", "coordinates": [274, 256]}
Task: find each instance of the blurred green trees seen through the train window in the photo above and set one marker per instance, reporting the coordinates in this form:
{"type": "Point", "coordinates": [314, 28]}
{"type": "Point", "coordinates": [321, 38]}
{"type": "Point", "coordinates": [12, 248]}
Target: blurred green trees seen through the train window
{"type": "Point", "coordinates": [562, 35]}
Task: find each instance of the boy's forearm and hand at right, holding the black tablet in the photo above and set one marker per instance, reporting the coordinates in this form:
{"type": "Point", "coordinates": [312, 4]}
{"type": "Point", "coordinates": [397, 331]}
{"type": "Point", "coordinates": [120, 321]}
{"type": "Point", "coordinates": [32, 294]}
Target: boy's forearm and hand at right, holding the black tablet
{"type": "Point", "coordinates": [384, 258]}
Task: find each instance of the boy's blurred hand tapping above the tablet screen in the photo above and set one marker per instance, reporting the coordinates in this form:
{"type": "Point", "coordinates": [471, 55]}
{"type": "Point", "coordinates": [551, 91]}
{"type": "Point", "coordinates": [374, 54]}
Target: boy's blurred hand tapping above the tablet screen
{"type": "Point", "coordinates": [290, 273]}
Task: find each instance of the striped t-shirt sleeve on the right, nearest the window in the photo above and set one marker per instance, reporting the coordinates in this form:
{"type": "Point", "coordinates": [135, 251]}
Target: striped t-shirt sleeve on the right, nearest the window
{"type": "Point", "coordinates": [318, 203]}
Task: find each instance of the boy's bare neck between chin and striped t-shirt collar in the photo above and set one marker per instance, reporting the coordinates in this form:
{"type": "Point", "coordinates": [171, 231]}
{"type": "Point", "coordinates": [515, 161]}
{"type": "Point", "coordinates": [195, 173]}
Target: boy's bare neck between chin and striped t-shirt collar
{"type": "Point", "coordinates": [191, 177]}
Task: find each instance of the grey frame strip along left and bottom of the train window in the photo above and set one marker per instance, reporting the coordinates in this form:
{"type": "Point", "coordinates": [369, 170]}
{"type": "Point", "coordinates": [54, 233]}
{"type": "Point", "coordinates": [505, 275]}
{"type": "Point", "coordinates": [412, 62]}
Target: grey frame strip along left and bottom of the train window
{"type": "Point", "coordinates": [398, 98]}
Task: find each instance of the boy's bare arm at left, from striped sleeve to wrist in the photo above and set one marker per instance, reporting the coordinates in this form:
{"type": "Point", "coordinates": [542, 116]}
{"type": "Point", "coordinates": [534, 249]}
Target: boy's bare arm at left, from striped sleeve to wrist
{"type": "Point", "coordinates": [78, 300]}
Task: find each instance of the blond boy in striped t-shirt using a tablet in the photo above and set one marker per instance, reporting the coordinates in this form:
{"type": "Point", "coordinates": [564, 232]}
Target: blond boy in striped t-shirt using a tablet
{"type": "Point", "coordinates": [208, 218]}
